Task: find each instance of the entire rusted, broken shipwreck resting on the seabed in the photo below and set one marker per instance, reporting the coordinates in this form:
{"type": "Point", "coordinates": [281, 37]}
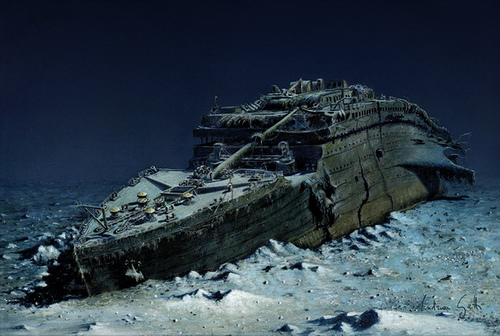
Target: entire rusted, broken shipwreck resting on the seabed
{"type": "Point", "coordinates": [305, 164]}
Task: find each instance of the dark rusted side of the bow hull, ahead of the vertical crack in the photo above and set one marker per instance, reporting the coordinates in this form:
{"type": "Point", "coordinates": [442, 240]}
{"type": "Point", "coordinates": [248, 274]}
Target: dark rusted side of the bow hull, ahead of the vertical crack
{"type": "Point", "coordinates": [231, 233]}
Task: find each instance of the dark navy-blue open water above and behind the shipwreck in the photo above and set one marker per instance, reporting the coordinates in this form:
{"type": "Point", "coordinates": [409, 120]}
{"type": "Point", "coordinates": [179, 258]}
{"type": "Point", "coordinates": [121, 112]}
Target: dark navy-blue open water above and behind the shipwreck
{"type": "Point", "coordinates": [97, 90]}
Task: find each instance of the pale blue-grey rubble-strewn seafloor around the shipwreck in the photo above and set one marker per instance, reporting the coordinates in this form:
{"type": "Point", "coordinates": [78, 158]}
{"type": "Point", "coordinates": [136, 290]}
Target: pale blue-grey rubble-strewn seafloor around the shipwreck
{"type": "Point", "coordinates": [431, 270]}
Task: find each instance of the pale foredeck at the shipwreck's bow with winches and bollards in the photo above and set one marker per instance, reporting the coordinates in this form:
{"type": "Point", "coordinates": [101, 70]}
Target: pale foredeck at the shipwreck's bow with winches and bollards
{"type": "Point", "coordinates": [181, 201]}
